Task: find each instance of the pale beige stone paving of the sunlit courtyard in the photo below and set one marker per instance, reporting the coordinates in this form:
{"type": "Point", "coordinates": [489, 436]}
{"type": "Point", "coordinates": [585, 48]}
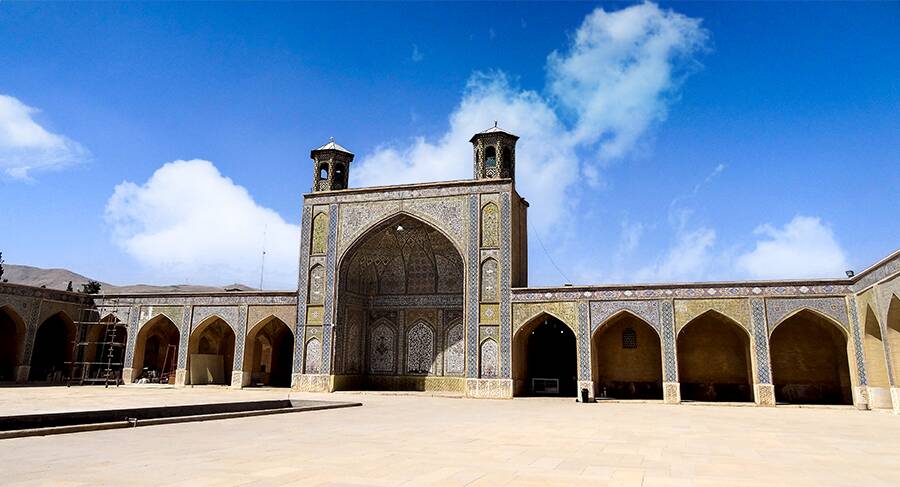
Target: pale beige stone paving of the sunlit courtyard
{"type": "Point", "coordinates": [421, 440]}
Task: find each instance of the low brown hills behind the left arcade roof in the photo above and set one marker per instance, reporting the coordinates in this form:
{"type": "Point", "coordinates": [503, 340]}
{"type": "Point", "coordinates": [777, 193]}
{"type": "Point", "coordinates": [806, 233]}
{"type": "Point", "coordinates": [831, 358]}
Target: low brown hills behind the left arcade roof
{"type": "Point", "coordinates": [59, 279]}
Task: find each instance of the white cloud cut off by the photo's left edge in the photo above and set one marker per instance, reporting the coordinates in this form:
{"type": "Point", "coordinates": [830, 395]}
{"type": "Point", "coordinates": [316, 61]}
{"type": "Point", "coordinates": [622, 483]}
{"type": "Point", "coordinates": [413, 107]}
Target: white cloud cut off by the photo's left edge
{"type": "Point", "coordinates": [26, 146]}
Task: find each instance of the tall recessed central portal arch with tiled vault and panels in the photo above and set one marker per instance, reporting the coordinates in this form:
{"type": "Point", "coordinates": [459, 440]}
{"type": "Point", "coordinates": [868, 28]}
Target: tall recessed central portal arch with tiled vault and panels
{"type": "Point", "coordinates": [400, 295]}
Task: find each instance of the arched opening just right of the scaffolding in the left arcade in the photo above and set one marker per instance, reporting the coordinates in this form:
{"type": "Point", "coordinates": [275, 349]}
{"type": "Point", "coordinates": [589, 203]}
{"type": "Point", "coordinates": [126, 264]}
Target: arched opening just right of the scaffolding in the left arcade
{"type": "Point", "coordinates": [156, 351]}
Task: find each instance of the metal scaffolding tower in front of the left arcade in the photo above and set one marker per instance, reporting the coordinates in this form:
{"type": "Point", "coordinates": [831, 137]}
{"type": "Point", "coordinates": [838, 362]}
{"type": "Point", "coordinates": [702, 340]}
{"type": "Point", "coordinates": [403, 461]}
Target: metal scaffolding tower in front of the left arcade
{"type": "Point", "coordinates": [99, 347]}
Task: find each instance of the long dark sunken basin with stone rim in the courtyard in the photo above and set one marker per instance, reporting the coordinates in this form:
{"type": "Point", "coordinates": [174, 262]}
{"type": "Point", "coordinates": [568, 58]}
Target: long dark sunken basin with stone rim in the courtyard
{"type": "Point", "coordinates": [74, 421]}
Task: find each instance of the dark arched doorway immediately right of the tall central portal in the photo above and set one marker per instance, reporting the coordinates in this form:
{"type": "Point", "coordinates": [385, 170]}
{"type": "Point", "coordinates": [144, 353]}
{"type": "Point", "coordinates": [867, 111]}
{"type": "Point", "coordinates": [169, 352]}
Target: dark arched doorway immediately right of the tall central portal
{"type": "Point", "coordinates": [545, 358]}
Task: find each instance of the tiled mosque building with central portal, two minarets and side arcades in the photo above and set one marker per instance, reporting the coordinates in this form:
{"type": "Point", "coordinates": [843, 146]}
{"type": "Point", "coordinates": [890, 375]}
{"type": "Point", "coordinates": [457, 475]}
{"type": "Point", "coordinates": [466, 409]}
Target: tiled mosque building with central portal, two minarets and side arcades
{"type": "Point", "coordinates": [423, 287]}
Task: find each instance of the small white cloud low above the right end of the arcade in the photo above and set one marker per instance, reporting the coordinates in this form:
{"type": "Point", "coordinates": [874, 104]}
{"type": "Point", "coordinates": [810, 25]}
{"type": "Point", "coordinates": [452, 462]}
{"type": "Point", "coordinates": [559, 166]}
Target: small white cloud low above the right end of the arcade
{"type": "Point", "coordinates": [803, 248]}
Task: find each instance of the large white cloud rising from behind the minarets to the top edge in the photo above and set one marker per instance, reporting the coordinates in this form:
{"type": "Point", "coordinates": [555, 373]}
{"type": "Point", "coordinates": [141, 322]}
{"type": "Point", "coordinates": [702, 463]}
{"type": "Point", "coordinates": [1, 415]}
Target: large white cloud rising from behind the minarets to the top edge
{"type": "Point", "coordinates": [617, 77]}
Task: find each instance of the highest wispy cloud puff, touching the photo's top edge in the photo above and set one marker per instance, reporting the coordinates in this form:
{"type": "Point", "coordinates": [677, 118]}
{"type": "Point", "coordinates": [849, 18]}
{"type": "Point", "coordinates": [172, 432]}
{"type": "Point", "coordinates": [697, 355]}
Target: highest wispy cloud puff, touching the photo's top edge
{"type": "Point", "coordinates": [620, 72]}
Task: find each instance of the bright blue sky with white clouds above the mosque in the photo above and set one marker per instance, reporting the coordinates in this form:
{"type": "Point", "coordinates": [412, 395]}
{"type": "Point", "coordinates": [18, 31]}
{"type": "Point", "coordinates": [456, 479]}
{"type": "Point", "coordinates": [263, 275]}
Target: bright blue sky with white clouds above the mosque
{"type": "Point", "coordinates": [687, 141]}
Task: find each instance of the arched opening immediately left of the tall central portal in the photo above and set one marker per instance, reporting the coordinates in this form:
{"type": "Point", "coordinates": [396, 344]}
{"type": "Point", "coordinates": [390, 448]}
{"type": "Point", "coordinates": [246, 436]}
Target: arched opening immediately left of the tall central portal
{"type": "Point", "coordinates": [268, 353]}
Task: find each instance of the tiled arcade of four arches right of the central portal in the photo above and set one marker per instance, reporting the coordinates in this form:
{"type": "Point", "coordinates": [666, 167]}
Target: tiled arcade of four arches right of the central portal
{"type": "Point", "coordinates": [779, 350]}
